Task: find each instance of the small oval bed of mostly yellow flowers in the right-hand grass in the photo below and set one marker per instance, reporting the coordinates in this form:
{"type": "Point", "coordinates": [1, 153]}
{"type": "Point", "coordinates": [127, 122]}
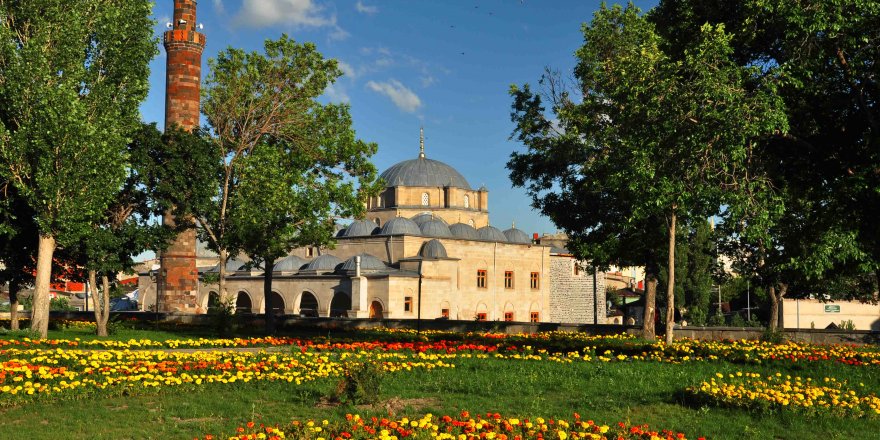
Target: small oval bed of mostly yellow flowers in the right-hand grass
{"type": "Point", "coordinates": [778, 392]}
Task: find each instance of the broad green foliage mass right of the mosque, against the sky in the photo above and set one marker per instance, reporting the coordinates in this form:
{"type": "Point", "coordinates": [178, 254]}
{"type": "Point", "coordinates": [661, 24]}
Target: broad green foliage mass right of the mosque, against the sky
{"type": "Point", "coordinates": [645, 138]}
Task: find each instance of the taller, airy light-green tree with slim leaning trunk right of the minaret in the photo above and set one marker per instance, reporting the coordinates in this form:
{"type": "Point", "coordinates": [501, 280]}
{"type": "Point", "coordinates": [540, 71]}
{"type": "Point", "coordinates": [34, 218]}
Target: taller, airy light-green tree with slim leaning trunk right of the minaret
{"type": "Point", "coordinates": [253, 99]}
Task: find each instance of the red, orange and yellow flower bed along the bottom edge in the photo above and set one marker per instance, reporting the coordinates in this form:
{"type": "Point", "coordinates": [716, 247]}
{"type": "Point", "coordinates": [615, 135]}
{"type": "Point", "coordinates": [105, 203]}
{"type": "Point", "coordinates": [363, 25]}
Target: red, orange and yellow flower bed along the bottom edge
{"type": "Point", "coordinates": [464, 427]}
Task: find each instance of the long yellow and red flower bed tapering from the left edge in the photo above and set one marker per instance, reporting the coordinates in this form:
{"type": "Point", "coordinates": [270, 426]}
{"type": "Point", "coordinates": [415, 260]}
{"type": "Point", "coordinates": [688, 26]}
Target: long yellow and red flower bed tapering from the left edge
{"type": "Point", "coordinates": [59, 373]}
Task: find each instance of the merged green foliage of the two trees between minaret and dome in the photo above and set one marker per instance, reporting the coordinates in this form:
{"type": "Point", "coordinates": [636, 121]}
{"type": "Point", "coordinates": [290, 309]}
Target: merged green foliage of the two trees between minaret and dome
{"type": "Point", "coordinates": [290, 164]}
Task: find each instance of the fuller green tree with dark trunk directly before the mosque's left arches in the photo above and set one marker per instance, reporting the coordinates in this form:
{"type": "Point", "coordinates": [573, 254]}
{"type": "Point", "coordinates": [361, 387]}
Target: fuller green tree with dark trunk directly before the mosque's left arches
{"type": "Point", "coordinates": [290, 194]}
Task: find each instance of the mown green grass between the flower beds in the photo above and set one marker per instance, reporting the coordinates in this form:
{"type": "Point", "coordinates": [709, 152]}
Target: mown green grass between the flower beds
{"type": "Point", "coordinates": [638, 392]}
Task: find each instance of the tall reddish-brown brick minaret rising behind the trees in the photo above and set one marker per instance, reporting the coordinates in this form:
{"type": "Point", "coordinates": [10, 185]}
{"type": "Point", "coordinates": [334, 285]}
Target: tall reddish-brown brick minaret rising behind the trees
{"type": "Point", "coordinates": [183, 45]}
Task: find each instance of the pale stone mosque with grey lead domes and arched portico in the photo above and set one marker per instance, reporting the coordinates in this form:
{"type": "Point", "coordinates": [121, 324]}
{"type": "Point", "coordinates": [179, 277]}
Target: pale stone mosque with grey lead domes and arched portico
{"type": "Point", "coordinates": [425, 250]}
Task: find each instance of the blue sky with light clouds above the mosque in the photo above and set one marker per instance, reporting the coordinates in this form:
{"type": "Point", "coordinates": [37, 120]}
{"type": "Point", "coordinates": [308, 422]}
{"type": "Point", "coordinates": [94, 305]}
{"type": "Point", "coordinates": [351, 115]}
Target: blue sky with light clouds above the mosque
{"type": "Point", "coordinates": [444, 65]}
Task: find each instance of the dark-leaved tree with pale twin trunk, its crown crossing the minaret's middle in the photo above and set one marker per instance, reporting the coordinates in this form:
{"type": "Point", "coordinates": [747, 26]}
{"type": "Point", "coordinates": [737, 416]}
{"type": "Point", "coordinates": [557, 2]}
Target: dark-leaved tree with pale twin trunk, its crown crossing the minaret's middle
{"type": "Point", "coordinates": [153, 185]}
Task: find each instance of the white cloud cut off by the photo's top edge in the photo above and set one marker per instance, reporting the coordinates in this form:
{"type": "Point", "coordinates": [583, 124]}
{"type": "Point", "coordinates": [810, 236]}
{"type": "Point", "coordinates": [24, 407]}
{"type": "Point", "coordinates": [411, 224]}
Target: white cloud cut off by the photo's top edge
{"type": "Point", "coordinates": [261, 13]}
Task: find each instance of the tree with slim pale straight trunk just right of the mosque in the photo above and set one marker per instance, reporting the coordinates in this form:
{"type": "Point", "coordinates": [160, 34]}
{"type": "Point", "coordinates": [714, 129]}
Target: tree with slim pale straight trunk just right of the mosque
{"type": "Point", "coordinates": [668, 135]}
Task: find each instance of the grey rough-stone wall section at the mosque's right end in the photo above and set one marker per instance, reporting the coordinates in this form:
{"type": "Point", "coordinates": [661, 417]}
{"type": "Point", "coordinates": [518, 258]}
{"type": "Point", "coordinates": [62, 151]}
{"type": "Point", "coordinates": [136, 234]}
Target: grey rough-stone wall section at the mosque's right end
{"type": "Point", "coordinates": [571, 292]}
